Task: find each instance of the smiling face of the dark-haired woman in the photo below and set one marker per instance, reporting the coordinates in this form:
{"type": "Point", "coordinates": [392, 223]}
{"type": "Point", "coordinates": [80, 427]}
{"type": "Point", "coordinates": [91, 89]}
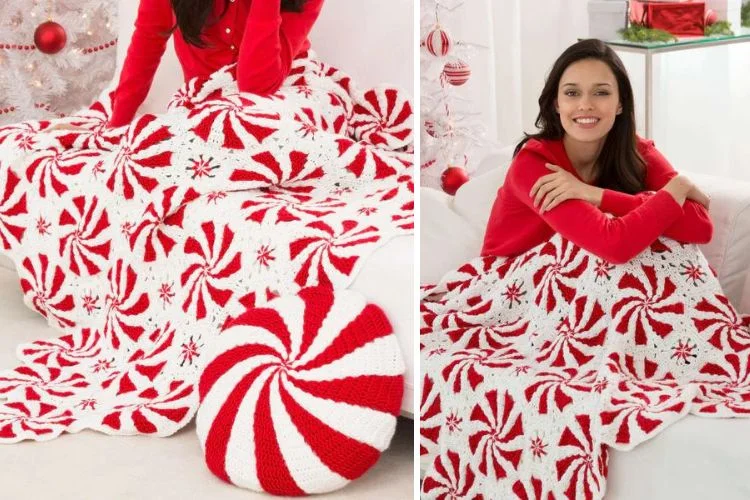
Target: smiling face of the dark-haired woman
{"type": "Point", "coordinates": [588, 100]}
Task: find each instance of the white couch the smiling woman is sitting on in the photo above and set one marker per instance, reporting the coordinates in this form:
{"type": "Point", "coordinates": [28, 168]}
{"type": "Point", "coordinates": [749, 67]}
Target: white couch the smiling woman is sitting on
{"type": "Point", "coordinates": [694, 459]}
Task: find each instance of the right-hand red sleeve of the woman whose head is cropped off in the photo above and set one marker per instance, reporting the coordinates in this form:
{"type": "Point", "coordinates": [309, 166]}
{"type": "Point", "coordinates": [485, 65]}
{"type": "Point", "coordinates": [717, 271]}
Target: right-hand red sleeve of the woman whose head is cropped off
{"type": "Point", "coordinates": [271, 41]}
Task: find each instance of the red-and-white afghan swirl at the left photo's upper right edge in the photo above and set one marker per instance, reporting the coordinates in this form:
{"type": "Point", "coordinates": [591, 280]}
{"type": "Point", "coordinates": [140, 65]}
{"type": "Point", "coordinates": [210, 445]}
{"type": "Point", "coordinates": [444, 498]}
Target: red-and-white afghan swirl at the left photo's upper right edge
{"type": "Point", "coordinates": [383, 117]}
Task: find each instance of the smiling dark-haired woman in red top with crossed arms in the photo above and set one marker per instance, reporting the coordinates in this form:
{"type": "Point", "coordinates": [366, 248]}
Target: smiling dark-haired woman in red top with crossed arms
{"type": "Point", "coordinates": [586, 160]}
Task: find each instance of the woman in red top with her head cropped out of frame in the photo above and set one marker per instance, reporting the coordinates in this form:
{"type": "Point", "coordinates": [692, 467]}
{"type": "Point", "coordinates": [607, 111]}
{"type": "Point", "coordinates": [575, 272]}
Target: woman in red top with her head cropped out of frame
{"type": "Point", "coordinates": [262, 37]}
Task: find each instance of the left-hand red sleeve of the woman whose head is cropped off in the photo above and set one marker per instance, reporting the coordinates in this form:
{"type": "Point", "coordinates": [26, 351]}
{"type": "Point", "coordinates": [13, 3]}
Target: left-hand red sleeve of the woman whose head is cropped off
{"type": "Point", "coordinates": [155, 19]}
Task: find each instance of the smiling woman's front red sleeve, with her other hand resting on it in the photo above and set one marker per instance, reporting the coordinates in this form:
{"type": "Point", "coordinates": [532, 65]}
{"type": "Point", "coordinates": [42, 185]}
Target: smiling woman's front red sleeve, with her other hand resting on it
{"type": "Point", "coordinates": [616, 240]}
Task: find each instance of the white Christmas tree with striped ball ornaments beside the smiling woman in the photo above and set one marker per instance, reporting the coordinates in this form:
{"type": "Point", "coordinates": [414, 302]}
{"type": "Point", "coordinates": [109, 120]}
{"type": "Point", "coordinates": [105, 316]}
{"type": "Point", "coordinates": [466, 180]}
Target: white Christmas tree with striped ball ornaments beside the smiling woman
{"type": "Point", "coordinates": [450, 129]}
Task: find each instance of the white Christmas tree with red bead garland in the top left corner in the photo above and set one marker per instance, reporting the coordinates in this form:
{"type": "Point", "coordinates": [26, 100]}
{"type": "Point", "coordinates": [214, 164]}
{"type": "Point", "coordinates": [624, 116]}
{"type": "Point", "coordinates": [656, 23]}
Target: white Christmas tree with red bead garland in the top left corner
{"type": "Point", "coordinates": [36, 85]}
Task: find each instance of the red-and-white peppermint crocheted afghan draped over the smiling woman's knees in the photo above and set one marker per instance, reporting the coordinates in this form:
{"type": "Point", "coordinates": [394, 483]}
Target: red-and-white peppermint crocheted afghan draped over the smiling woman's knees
{"type": "Point", "coordinates": [535, 365]}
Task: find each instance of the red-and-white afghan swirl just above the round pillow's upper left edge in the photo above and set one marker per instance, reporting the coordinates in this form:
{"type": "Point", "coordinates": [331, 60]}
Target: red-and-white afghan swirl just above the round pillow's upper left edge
{"type": "Point", "coordinates": [214, 261]}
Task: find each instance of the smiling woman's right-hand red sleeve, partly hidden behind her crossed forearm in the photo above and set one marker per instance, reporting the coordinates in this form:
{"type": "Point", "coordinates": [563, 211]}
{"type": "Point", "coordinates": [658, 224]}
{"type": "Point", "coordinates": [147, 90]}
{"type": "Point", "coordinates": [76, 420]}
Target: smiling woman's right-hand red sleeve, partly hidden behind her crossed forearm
{"type": "Point", "coordinates": [694, 226]}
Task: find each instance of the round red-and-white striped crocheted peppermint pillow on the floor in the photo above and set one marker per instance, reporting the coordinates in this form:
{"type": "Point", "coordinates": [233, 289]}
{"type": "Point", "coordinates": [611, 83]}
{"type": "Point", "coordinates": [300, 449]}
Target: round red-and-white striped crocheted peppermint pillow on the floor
{"type": "Point", "coordinates": [300, 396]}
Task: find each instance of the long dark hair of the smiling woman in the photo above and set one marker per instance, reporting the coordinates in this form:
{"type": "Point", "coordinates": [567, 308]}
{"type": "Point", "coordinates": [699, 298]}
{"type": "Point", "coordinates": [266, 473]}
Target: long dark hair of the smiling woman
{"type": "Point", "coordinates": [620, 165]}
